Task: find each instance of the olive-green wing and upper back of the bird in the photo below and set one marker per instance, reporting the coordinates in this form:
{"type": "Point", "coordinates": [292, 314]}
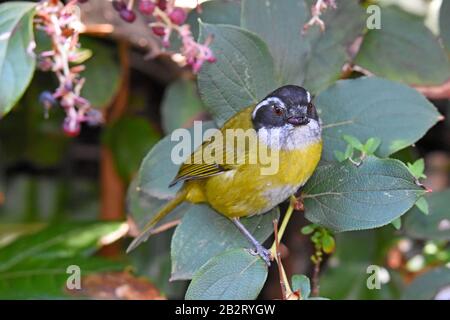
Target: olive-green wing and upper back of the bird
{"type": "Point", "coordinates": [202, 164]}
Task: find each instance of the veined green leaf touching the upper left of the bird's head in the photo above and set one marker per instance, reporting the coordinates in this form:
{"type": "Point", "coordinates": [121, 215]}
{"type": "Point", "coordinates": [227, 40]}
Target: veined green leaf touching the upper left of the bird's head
{"type": "Point", "coordinates": [242, 74]}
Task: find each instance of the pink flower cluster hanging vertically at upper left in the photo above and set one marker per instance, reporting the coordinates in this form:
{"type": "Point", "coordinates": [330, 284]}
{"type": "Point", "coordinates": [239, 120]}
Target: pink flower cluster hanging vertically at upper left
{"type": "Point", "coordinates": [62, 24]}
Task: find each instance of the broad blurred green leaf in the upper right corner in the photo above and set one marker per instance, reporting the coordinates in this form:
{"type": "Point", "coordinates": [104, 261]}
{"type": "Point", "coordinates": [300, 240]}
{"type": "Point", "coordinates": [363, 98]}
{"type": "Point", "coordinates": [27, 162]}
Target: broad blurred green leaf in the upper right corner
{"type": "Point", "coordinates": [404, 50]}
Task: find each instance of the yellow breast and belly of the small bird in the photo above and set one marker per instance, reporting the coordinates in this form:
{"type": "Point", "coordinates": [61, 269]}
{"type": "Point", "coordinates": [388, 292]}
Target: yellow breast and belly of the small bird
{"type": "Point", "coordinates": [245, 191]}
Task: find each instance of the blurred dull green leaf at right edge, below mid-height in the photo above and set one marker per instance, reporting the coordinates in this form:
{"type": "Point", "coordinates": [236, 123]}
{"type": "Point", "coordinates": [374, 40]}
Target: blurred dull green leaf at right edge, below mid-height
{"type": "Point", "coordinates": [436, 225]}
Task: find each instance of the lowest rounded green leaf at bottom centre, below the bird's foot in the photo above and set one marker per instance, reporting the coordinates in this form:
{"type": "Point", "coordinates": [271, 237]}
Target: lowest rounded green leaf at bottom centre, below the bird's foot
{"type": "Point", "coordinates": [233, 275]}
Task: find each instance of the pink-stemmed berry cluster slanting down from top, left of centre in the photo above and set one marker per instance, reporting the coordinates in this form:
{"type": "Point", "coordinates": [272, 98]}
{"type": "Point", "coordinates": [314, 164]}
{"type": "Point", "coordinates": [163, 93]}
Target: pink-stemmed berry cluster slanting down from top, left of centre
{"type": "Point", "coordinates": [168, 19]}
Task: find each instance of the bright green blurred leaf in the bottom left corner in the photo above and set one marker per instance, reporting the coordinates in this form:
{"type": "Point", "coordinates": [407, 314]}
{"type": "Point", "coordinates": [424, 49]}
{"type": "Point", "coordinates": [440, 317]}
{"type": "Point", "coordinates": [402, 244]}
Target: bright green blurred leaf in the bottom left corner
{"type": "Point", "coordinates": [35, 265]}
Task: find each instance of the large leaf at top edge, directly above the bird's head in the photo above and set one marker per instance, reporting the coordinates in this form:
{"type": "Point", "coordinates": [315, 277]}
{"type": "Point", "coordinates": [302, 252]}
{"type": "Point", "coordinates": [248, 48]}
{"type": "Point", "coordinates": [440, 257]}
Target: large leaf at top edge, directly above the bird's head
{"type": "Point", "coordinates": [314, 59]}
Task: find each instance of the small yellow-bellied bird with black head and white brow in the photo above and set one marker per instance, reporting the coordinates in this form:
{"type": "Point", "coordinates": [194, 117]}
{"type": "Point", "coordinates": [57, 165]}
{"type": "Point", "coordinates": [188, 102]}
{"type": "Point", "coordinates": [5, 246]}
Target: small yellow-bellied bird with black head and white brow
{"type": "Point", "coordinates": [286, 124]}
